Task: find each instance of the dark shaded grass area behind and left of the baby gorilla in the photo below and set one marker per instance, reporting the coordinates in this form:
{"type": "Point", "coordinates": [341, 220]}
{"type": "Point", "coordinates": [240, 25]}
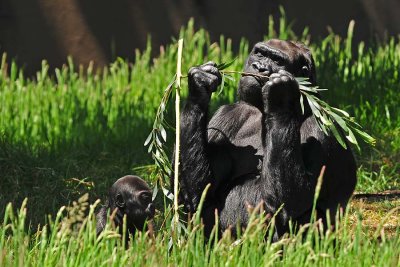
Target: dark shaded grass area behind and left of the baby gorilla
{"type": "Point", "coordinates": [51, 178]}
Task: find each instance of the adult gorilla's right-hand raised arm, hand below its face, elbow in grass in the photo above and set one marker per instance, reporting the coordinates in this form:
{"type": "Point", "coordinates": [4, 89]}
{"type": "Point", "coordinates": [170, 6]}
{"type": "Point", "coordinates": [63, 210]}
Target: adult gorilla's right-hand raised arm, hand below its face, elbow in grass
{"type": "Point", "coordinates": [285, 178]}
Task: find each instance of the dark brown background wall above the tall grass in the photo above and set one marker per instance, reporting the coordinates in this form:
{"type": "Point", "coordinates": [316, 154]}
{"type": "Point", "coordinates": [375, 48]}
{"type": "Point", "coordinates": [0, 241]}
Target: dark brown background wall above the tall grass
{"type": "Point", "coordinates": [31, 30]}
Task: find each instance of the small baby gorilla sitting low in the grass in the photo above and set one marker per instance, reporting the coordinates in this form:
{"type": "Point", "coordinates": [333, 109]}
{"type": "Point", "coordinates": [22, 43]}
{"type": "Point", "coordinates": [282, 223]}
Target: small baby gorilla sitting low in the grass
{"type": "Point", "coordinates": [130, 196]}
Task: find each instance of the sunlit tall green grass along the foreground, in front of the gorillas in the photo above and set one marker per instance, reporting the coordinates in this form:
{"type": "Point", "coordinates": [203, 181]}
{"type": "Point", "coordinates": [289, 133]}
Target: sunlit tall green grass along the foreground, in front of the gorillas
{"type": "Point", "coordinates": [70, 240]}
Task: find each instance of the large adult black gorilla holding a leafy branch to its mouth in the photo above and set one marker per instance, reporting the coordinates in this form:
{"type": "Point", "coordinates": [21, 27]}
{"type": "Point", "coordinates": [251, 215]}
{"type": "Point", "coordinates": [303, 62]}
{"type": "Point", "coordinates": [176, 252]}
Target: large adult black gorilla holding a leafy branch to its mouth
{"type": "Point", "coordinates": [261, 148]}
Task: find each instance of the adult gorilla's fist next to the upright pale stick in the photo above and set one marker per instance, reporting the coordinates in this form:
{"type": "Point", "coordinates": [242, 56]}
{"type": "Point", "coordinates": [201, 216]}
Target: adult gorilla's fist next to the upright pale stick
{"type": "Point", "coordinates": [203, 80]}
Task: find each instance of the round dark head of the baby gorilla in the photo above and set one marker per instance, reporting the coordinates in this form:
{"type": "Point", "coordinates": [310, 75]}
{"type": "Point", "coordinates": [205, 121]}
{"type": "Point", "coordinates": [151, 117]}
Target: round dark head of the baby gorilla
{"type": "Point", "coordinates": [133, 198]}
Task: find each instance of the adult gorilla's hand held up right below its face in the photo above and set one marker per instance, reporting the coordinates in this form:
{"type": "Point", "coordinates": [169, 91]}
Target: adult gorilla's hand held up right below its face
{"type": "Point", "coordinates": [281, 94]}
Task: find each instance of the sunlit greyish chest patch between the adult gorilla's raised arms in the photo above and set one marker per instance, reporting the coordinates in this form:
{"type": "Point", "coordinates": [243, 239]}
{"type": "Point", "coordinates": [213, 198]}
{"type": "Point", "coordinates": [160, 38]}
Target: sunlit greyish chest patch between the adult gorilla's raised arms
{"type": "Point", "coordinates": [238, 124]}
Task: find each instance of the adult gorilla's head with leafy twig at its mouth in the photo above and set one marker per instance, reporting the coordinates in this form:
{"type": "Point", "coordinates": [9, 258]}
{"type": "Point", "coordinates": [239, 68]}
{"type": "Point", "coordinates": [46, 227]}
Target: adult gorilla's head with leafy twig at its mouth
{"type": "Point", "coordinates": [270, 57]}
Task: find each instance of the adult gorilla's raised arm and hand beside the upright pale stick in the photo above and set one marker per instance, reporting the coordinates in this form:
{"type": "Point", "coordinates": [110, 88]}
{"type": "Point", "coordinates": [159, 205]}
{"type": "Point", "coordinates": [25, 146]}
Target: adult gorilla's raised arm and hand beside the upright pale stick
{"type": "Point", "coordinates": [195, 169]}
